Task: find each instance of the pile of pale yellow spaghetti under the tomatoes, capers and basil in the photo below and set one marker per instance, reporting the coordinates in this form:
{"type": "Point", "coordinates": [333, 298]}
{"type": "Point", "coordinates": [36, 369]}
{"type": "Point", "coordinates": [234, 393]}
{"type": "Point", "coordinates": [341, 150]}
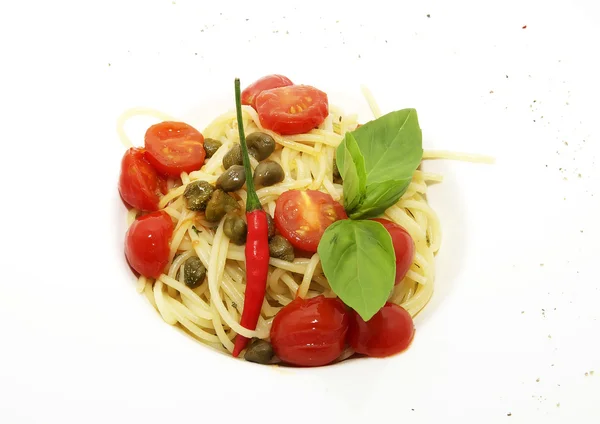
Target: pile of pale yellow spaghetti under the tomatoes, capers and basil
{"type": "Point", "coordinates": [211, 312]}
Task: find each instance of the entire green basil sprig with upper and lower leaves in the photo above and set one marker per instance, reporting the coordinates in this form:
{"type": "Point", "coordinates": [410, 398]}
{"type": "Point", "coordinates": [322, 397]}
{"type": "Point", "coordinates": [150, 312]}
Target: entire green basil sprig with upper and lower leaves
{"type": "Point", "coordinates": [376, 162]}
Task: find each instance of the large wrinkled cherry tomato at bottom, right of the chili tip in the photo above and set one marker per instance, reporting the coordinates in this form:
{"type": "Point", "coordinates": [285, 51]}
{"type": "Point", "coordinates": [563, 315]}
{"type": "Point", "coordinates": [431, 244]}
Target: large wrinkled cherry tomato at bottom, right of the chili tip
{"type": "Point", "coordinates": [310, 332]}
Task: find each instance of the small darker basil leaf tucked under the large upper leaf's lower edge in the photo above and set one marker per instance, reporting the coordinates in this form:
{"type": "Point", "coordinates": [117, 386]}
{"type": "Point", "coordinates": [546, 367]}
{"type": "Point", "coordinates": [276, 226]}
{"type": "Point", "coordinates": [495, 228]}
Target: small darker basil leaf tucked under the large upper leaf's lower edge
{"type": "Point", "coordinates": [380, 196]}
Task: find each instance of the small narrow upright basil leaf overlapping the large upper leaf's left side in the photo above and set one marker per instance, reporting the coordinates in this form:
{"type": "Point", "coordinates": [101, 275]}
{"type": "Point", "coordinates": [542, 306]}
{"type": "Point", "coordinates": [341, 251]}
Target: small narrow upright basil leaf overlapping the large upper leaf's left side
{"type": "Point", "coordinates": [355, 176]}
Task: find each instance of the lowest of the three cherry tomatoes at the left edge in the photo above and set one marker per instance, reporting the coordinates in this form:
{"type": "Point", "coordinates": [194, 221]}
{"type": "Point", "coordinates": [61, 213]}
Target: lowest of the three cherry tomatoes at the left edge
{"type": "Point", "coordinates": [147, 243]}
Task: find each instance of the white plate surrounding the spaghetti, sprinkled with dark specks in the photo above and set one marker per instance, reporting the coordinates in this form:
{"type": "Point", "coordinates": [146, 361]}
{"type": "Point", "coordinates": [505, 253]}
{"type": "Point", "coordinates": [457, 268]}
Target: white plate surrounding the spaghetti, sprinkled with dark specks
{"type": "Point", "coordinates": [517, 286]}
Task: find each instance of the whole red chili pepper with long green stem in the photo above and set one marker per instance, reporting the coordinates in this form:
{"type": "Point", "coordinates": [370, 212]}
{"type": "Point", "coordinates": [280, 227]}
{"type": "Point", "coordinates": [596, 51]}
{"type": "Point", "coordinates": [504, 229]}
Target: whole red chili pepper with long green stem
{"type": "Point", "coordinates": [257, 242]}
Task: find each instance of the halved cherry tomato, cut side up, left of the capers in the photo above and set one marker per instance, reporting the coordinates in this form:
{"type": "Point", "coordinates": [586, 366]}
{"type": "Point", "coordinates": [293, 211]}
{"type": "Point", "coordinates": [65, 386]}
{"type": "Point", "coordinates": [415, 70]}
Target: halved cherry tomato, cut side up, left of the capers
{"type": "Point", "coordinates": [174, 147]}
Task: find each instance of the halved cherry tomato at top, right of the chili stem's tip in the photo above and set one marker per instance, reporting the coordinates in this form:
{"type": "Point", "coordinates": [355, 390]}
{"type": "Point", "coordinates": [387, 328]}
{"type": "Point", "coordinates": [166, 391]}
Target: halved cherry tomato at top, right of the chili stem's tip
{"type": "Point", "coordinates": [294, 109]}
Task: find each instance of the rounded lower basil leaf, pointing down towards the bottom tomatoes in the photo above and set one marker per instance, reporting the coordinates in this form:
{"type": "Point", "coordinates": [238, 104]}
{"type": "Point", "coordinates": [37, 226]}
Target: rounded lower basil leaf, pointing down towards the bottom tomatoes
{"type": "Point", "coordinates": [359, 261]}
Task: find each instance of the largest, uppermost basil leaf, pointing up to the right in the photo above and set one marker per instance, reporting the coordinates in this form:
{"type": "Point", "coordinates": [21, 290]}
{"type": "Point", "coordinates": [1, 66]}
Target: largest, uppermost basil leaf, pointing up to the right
{"type": "Point", "coordinates": [391, 147]}
